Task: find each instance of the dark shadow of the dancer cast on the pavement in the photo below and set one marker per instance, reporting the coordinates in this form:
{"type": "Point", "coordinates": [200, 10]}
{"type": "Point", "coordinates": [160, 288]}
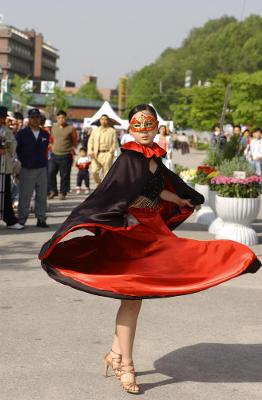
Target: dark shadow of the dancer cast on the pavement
{"type": "Point", "coordinates": [209, 362]}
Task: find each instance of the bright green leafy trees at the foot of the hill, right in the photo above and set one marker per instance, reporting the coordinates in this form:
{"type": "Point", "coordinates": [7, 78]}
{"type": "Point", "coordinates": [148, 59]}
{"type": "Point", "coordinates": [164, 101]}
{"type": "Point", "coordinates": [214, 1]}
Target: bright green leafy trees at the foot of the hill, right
{"type": "Point", "coordinates": [201, 107]}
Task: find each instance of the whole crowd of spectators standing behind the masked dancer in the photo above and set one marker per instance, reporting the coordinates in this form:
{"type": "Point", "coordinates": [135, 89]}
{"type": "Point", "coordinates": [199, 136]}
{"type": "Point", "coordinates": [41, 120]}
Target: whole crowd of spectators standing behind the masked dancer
{"type": "Point", "coordinates": [33, 151]}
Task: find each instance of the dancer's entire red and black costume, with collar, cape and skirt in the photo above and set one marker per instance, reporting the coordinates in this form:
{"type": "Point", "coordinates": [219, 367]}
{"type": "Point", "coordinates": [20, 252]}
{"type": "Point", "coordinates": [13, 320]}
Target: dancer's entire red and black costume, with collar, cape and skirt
{"type": "Point", "coordinates": [133, 253]}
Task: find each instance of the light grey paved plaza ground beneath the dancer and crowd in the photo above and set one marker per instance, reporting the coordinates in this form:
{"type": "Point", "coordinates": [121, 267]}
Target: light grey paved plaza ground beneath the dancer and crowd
{"type": "Point", "coordinates": [206, 346]}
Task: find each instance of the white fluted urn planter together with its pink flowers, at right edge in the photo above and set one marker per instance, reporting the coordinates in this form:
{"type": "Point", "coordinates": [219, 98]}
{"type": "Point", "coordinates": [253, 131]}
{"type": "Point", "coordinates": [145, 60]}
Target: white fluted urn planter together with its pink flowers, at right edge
{"type": "Point", "coordinates": [237, 204]}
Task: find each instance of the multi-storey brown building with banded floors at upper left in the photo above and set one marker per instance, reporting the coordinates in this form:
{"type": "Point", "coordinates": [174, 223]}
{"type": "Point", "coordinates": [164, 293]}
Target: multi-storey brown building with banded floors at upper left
{"type": "Point", "coordinates": [26, 54]}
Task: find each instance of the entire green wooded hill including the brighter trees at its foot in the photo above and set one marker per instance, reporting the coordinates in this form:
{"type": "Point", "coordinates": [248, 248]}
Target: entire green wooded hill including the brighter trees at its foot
{"type": "Point", "coordinates": [219, 52]}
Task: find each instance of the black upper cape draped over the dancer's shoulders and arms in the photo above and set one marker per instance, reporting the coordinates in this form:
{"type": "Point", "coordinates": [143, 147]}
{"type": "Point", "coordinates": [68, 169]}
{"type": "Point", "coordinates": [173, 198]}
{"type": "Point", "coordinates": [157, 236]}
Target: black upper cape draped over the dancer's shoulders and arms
{"type": "Point", "coordinates": [107, 206]}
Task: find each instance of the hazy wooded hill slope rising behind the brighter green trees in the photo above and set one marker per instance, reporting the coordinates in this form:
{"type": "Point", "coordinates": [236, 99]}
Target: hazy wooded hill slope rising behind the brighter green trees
{"type": "Point", "coordinates": [223, 45]}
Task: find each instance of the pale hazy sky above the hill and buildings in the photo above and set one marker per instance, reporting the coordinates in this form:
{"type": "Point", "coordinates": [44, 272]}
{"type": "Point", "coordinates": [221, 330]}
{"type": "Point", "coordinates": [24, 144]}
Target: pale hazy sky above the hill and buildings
{"type": "Point", "coordinates": [112, 38]}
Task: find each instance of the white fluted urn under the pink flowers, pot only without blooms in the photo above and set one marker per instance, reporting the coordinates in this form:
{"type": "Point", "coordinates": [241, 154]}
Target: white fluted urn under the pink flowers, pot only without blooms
{"type": "Point", "coordinates": [237, 214]}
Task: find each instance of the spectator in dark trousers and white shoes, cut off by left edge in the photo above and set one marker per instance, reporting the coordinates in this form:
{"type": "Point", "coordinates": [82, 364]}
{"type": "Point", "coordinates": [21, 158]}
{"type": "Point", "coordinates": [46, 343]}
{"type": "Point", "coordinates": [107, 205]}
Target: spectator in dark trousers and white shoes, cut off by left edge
{"type": "Point", "coordinates": [7, 150]}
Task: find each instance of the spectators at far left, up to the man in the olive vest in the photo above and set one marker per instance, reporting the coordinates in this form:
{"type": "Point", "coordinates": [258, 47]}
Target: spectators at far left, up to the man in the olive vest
{"type": "Point", "coordinates": [32, 153]}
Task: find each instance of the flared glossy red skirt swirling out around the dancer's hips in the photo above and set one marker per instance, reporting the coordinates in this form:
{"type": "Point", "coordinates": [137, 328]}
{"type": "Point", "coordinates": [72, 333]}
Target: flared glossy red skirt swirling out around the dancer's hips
{"type": "Point", "coordinates": [146, 261]}
